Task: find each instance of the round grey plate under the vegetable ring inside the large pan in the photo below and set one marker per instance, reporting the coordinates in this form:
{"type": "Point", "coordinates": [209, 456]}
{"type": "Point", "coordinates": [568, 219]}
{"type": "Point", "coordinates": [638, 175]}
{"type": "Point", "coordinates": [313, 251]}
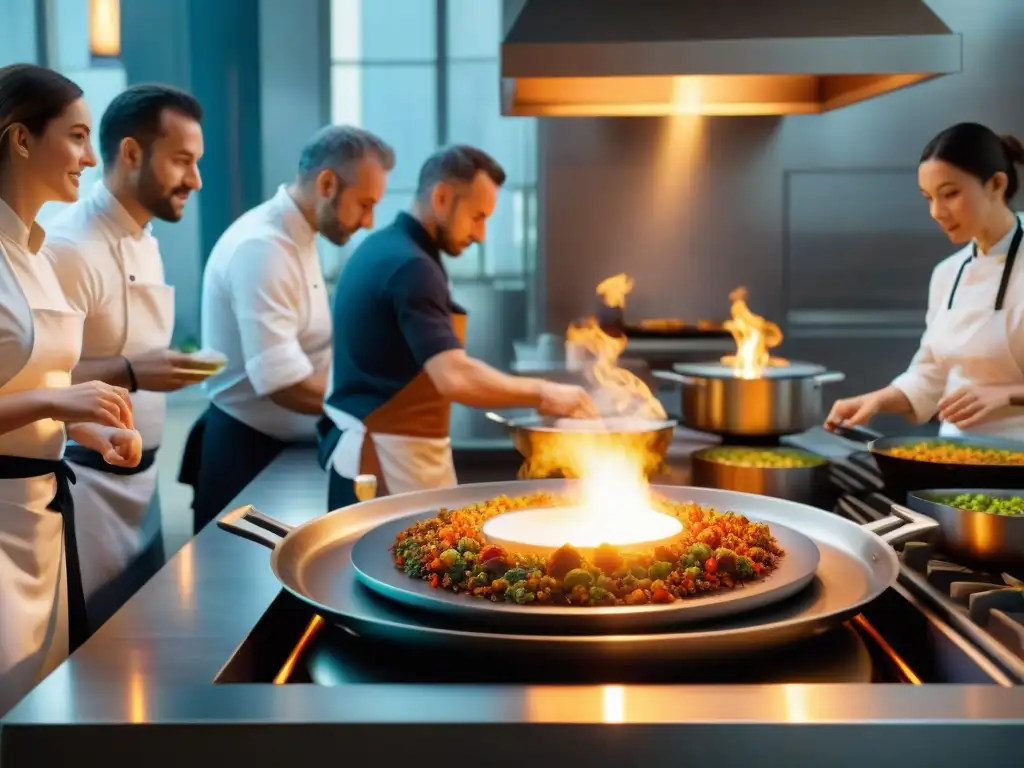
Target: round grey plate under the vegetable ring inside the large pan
{"type": "Point", "coordinates": [375, 568]}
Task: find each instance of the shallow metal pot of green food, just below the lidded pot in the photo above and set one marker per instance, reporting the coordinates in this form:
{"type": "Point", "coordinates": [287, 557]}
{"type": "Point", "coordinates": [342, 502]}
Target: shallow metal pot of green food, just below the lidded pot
{"type": "Point", "coordinates": [806, 485]}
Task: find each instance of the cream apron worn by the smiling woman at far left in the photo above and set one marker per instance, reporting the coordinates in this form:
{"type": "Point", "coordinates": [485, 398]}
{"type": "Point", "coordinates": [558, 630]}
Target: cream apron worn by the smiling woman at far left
{"type": "Point", "coordinates": [33, 578]}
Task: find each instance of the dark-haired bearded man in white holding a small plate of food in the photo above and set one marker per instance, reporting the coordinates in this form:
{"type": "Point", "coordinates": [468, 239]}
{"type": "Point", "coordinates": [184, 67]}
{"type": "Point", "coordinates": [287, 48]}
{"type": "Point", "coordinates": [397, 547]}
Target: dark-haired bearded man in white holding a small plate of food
{"type": "Point", "coordinates": [110, 267]}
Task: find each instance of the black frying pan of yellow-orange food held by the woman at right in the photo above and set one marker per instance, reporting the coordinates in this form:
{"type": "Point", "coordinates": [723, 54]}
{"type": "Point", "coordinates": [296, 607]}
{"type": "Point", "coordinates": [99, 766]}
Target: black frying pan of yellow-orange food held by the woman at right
{"type": "Point", "coordinates": [914, 475]}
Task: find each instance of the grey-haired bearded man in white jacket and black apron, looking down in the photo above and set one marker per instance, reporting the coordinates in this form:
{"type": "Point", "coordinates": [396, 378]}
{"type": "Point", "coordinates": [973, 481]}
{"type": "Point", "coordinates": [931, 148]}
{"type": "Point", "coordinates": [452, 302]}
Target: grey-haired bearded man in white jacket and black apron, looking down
{"type": "Point", "coordinates": [266, 307]}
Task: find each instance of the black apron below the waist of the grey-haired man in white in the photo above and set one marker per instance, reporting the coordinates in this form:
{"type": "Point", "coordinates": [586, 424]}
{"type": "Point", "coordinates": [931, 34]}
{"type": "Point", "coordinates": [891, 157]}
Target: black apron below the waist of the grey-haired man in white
{"type": "Point", "coordinates": [223, 456]}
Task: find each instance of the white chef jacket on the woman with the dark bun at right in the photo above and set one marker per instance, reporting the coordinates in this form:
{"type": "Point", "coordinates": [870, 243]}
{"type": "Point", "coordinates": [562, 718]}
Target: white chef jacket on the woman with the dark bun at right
{"type": "Point", "coordinates": [940, 367]}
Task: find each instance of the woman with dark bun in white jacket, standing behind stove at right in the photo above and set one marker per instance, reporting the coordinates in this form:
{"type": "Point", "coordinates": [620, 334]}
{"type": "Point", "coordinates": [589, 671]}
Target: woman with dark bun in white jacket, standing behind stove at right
{"type": "Point", "coordinates": [970, 367]}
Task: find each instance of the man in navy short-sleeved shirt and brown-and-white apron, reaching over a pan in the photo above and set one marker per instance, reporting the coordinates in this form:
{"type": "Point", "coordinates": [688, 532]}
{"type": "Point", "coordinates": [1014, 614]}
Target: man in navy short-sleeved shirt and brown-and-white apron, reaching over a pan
{"type": "Point", "coordinates": [399, 356]}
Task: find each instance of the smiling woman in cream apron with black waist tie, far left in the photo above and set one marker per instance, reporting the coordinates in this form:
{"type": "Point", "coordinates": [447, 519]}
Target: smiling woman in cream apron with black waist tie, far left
{"type": "Point", "coordinates": [45, 147]}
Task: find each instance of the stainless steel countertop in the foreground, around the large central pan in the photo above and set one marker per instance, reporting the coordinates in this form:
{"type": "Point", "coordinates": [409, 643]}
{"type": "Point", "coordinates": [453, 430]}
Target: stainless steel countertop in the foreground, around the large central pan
{"type": "Point", "coordinates": [153, 665]}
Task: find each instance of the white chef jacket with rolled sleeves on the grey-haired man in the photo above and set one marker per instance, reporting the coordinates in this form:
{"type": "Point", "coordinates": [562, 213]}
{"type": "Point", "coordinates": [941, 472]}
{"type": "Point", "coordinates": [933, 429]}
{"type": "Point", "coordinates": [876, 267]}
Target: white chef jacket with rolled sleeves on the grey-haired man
{"type": "Point", "coordinates": [266, 308]}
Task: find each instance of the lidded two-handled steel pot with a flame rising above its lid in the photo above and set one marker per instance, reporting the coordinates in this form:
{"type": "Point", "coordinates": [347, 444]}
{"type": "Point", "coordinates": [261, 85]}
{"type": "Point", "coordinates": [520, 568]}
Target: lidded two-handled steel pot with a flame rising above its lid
{"type": "Point", "coordinates": [783, 401]}
